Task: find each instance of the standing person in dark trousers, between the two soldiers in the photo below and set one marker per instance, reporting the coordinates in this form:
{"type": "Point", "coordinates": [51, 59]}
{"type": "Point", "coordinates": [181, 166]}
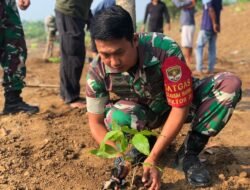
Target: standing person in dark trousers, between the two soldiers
{"type": "Point", "coordinates": [71, 18]}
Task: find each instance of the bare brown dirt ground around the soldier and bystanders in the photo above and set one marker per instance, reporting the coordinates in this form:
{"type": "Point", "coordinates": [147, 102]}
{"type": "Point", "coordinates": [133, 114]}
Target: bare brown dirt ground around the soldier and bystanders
{"type": "Point", "coordinates": [50, 150]}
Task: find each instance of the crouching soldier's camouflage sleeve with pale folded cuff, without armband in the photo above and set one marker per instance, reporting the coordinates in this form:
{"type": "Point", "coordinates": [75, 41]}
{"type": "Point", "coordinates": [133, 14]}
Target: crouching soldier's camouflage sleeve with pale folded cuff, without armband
{"type": "Point", "coordinates": [96, 94]}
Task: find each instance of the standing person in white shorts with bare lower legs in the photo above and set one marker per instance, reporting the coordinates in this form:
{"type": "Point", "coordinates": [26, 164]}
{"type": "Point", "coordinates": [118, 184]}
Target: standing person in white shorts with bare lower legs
{"type": "Point", "coordinates": [187, 21]}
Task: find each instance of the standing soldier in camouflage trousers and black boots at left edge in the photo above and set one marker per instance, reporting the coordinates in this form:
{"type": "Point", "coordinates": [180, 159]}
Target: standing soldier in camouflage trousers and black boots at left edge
{"type": "Point", "coordinates": [13, 54]}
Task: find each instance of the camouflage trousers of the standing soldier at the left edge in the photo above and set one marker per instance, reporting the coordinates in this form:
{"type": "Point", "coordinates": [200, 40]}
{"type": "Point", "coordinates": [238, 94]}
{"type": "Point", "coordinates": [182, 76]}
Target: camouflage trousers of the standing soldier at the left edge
{"type": "Point", "coordinates": [13, 52]}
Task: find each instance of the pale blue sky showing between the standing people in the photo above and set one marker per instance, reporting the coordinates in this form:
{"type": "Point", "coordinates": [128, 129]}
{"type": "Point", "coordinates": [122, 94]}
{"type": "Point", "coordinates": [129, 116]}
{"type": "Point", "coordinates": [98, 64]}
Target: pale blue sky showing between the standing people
{"type": "Point", "coordinates": [39, 9]}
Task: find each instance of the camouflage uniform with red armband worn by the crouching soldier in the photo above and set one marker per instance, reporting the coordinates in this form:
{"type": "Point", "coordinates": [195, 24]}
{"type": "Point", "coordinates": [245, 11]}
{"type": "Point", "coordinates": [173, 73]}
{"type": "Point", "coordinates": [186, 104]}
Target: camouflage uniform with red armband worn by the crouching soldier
{"type": "Point", "coordinates": [159, 81]}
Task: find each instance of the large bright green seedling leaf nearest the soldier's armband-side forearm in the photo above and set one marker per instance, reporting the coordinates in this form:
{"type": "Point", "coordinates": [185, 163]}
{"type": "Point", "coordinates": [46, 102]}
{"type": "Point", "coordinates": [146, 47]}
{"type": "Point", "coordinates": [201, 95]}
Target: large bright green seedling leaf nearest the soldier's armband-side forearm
{"type": "Point", "coordinates": [141, 143]}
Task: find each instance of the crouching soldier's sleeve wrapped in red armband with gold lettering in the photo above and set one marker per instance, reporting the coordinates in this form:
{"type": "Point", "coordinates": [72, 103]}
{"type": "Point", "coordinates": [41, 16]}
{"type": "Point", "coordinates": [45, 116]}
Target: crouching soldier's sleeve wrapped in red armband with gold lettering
{"type": "Point", "coordinates": [177, 78]}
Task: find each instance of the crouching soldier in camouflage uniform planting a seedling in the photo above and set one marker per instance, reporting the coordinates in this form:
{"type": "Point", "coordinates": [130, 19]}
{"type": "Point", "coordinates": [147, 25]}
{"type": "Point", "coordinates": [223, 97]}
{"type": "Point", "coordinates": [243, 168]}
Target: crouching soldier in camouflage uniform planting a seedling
{"type": "Point", "coordinates": [154, 86]}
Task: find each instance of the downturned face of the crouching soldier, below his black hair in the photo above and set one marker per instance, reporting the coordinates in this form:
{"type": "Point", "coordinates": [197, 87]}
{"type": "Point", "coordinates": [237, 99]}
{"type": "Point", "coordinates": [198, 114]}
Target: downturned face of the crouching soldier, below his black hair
{"type": "Point", "coordinates": [120, 54]}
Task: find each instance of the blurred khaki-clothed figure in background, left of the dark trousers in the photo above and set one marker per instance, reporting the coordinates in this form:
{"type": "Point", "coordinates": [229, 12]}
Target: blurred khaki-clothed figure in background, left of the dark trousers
{"type": "Point", "coordinates": [50, 28]}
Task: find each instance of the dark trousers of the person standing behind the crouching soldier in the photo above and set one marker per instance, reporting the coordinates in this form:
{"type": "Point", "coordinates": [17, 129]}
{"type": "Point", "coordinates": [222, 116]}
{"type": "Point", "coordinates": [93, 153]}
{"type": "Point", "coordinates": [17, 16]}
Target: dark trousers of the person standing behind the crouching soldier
{"type": "Point", "coordinates": [71, 35]}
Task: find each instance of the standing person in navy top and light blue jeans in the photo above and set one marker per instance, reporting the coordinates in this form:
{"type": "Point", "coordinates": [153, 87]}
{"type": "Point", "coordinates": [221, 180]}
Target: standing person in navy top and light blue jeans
{"type": "Point", "coordinates": [210, 27]}
